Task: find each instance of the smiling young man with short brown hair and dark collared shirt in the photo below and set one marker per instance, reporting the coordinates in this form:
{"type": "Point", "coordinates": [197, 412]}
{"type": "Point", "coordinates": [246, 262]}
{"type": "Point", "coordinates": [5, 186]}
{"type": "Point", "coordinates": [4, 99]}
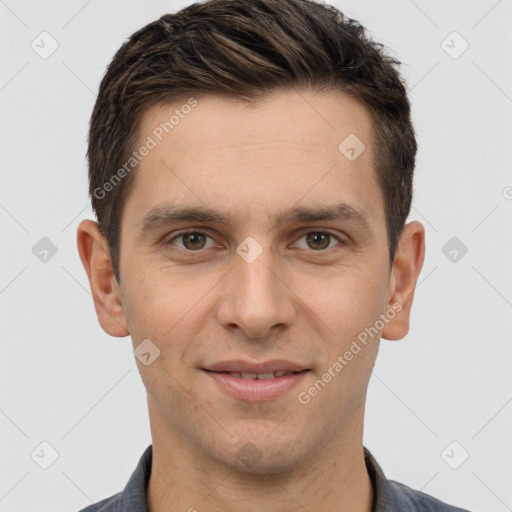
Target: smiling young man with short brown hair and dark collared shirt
{"type": "Point", "coordinates": [250, 166]}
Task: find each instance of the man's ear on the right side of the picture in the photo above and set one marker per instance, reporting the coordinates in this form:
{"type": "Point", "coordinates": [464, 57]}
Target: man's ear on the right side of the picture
{"type": "Point", "coordinates": [404, 276]}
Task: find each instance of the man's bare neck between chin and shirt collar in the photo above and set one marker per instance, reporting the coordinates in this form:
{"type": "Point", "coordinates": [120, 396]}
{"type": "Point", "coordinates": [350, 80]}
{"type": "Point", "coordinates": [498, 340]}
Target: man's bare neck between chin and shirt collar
{"type": "Point", "coordinates": [185, 478]}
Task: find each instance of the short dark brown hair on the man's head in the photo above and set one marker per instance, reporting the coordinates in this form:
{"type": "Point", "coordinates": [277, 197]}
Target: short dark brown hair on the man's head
{"type": "Point", "coordinates": [245, 49]}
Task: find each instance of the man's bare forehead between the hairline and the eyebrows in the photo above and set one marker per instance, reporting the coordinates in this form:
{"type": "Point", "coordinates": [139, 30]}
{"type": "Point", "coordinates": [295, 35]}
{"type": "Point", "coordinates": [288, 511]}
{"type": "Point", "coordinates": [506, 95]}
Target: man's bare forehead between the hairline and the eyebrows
{"type": "Point", "coordinates": [293, 147]}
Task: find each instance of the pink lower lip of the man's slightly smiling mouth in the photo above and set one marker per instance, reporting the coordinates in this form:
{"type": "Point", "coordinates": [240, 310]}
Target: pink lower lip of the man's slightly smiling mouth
{"type": "Point", "coordinates": [255, 390]}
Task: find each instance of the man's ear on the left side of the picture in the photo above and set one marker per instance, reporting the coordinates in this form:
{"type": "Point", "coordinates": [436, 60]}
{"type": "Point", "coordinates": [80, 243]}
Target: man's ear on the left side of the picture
{"type": "Point", "coordinates": [105, 290]}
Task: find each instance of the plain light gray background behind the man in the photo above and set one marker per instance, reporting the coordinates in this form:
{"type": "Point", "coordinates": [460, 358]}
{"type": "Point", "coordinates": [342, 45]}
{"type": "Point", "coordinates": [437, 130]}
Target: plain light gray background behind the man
{"type": "Point", "coordinates": [64, 381]}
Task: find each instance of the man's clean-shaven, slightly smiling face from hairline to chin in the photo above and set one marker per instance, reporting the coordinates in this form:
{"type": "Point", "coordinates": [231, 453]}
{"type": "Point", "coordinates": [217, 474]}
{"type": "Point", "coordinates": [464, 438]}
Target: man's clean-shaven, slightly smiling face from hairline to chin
{"type": "Point", "coordinates": [281, 266]}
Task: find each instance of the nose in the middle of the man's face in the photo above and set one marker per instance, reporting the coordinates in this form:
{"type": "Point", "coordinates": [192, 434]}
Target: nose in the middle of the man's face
{"type": "Point", "coordinates": [256, 299]}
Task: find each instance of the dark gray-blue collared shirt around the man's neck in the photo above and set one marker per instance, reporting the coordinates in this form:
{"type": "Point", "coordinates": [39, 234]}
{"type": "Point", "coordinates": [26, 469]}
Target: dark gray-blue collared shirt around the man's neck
{"type": "Point", "coordinates": [390, 496]}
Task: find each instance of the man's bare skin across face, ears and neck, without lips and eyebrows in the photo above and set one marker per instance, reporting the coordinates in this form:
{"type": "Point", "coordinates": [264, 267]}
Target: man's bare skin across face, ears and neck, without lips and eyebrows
{"type": "Point", "coordinates": [298, 300]}
